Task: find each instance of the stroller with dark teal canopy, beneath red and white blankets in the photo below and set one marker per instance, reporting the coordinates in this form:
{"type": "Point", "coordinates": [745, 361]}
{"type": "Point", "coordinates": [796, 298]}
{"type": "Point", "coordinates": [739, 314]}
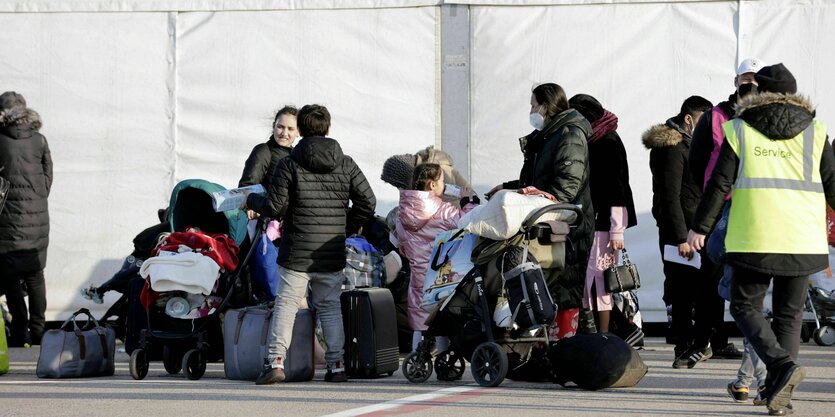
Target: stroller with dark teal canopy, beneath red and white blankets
{"type": "Point", "coordinates": [189, 343]}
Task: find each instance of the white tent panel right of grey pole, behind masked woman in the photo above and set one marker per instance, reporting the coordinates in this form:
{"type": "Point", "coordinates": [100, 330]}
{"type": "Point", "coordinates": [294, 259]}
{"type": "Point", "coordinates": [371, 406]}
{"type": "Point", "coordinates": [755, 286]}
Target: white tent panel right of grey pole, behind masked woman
{"type": "Point", "coordinates": [640, 60]}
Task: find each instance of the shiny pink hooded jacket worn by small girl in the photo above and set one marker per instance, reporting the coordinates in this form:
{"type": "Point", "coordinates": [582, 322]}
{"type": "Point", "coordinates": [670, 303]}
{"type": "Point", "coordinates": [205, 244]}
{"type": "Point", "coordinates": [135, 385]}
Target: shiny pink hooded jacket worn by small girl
{"type": "Point", "coordinates": [423, 216]}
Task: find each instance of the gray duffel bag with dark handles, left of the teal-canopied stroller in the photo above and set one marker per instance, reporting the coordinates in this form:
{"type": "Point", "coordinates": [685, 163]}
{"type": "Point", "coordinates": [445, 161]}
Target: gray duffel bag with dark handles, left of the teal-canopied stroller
{"type": "Point", "coordinates": [75, 351]}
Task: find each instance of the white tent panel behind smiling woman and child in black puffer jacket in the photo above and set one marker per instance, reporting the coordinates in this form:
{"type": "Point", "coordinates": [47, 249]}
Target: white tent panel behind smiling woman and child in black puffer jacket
{"type": "Point", "coordinates": [373, 69]}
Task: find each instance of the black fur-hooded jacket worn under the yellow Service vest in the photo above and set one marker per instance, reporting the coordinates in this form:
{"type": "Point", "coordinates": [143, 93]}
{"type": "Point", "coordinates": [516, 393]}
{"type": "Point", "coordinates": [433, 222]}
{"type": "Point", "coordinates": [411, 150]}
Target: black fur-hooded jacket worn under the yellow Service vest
{"type": "Point", "coordinates": [779, 117]}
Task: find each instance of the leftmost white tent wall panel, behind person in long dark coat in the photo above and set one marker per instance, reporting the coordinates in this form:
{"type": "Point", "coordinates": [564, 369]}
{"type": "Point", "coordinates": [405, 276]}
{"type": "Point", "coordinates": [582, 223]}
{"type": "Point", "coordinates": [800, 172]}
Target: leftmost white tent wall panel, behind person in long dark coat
{"type": "Point", "coordinates": [104, 97]}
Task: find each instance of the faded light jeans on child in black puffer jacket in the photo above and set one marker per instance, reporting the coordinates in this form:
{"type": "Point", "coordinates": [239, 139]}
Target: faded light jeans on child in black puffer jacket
{"type": "Point", "coordinates": [325, 289]}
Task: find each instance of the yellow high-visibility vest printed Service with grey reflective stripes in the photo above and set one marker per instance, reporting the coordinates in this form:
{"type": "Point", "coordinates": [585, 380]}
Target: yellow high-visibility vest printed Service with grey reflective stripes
{"type": "Point", "coordinates": [778, 201]}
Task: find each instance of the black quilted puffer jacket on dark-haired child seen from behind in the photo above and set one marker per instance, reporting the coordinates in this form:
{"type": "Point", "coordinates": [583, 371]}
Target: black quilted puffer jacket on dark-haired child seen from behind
{"type": "Point", "coordinates": [310, 192]}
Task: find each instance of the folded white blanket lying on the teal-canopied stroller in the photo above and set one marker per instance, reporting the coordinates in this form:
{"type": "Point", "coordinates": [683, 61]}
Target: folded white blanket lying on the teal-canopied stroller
{"type": "Point", "coordinates": [188, 271]}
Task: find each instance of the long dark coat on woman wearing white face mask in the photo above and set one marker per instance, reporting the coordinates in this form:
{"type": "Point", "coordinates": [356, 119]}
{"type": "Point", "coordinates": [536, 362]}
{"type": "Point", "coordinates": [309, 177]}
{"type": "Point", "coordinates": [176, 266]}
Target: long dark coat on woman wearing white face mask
{"type": "Point", "coordinates": [556, 161]}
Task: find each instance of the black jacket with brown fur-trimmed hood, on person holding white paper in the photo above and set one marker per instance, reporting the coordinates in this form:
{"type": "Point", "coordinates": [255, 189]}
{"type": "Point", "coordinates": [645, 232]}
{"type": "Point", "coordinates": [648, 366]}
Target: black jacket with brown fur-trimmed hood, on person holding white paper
{"type": "Point", "coordinates": [674, 193]}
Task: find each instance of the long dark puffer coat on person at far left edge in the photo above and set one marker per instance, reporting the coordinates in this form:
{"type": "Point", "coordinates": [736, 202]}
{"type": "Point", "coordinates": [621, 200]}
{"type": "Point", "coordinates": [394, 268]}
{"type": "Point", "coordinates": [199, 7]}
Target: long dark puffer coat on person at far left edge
{"type": "Point", "coordinates": [27, 165]}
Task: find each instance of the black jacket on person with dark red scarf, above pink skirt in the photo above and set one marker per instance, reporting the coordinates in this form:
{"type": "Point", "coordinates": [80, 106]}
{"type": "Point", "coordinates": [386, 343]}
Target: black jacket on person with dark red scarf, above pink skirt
{"type": "Point", "coordinates": [609, 181]}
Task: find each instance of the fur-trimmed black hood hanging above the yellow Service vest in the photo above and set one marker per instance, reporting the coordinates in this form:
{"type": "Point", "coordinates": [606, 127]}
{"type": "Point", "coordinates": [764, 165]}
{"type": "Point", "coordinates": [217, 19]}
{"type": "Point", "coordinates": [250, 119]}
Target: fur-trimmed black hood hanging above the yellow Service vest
{"type": "Point", "coordinates": [778, 116]}
